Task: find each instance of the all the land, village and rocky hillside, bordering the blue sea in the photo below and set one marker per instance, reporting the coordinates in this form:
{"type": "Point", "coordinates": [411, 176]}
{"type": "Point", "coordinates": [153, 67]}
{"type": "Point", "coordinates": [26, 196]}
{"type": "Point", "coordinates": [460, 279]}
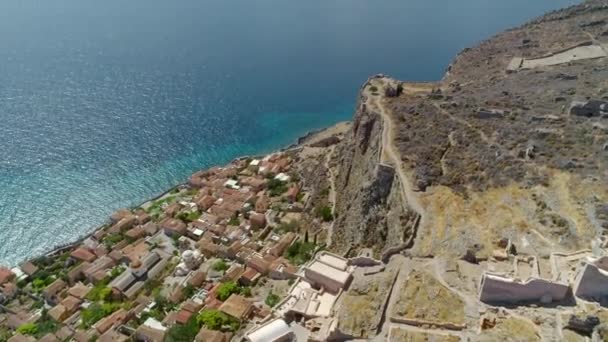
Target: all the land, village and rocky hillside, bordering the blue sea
{"type": "Point", "coordinates": [474, 208]}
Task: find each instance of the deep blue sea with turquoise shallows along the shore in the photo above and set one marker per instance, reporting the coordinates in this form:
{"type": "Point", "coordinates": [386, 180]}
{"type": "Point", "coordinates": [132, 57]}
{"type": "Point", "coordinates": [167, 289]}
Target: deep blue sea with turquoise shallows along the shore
{"type": "Point", "coordinates": [106, 103]}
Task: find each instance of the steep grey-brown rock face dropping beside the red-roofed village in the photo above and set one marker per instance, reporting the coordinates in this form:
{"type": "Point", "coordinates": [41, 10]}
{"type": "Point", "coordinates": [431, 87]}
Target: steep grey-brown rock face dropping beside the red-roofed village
{"type": "Point", "coordinates": [369, 208]}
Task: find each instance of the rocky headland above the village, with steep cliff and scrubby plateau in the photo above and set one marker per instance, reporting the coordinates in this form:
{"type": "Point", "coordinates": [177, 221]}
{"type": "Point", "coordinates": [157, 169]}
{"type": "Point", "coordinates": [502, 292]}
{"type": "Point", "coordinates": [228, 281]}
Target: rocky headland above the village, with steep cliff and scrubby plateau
{"type": "Point", "coordinates": [492, 151]}
